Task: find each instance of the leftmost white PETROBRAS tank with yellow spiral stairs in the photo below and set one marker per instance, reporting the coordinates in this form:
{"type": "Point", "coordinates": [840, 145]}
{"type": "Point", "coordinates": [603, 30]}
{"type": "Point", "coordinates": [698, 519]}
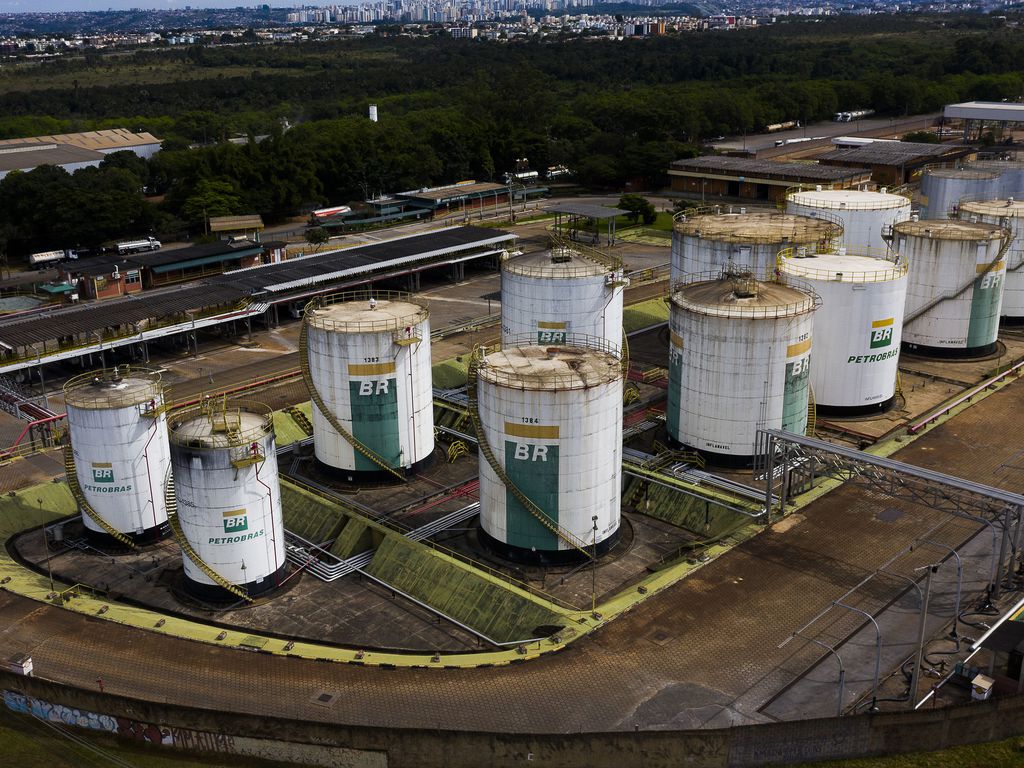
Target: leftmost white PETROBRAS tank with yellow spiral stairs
{"type": "Point", "coordinates": [119, 437]}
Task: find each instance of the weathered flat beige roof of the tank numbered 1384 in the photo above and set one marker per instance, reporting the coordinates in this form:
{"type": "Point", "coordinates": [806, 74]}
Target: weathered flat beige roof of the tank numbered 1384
{"type": "Point", "coordinates": [550, 368]}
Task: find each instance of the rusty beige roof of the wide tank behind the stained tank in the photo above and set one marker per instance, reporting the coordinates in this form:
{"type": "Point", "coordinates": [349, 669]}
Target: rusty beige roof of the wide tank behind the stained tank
{"type": "Point", "coordinates": [757, 227]}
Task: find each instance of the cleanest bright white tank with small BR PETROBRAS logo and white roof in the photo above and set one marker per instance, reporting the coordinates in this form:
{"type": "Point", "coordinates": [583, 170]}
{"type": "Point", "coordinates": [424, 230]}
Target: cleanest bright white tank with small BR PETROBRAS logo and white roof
{"type": "Point", "coordinates": [858, 329]}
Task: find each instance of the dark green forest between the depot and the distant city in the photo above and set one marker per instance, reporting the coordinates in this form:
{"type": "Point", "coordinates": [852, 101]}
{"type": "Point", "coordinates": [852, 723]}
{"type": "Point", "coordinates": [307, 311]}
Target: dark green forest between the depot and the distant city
{"type": "Point", "coordinates": [453, 110]}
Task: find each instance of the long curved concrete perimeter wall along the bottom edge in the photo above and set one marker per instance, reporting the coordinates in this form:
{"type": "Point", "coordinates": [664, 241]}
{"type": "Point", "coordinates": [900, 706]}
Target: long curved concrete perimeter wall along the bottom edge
{"type": "Point", "coordinates": [330, 745]}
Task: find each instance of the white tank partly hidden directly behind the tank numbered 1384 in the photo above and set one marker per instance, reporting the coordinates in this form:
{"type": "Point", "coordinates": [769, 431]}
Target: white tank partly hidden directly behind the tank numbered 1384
{"type": "Point", "coordinates": [551, 294]}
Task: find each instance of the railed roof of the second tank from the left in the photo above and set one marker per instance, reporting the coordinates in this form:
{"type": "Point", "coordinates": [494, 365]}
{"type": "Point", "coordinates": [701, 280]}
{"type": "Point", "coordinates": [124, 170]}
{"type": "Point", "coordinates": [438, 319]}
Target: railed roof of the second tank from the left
{"type": "Point", "coordinates": [217, 426]}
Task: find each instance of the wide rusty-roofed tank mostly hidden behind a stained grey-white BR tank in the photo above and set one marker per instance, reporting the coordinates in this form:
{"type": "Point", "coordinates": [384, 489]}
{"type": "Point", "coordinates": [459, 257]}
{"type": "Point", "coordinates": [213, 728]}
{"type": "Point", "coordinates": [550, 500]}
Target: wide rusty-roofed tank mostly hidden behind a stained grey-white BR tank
{"type": "Point", "coordinates": [709, 240]}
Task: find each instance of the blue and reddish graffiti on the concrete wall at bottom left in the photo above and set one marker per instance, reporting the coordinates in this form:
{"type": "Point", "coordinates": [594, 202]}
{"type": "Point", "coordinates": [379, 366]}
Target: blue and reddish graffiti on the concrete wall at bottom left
{"type": "Point", "coordinates": [184, 739]}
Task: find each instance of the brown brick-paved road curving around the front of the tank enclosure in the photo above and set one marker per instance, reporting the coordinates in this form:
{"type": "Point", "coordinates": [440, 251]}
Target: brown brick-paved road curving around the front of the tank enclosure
{"type": "Point", "coordinates": [703, 653]}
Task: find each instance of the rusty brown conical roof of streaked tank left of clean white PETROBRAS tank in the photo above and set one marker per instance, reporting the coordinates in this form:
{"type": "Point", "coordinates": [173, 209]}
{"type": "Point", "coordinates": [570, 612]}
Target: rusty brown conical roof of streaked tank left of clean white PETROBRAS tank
{"type": "Point", "coordinates": [719, 298]}
